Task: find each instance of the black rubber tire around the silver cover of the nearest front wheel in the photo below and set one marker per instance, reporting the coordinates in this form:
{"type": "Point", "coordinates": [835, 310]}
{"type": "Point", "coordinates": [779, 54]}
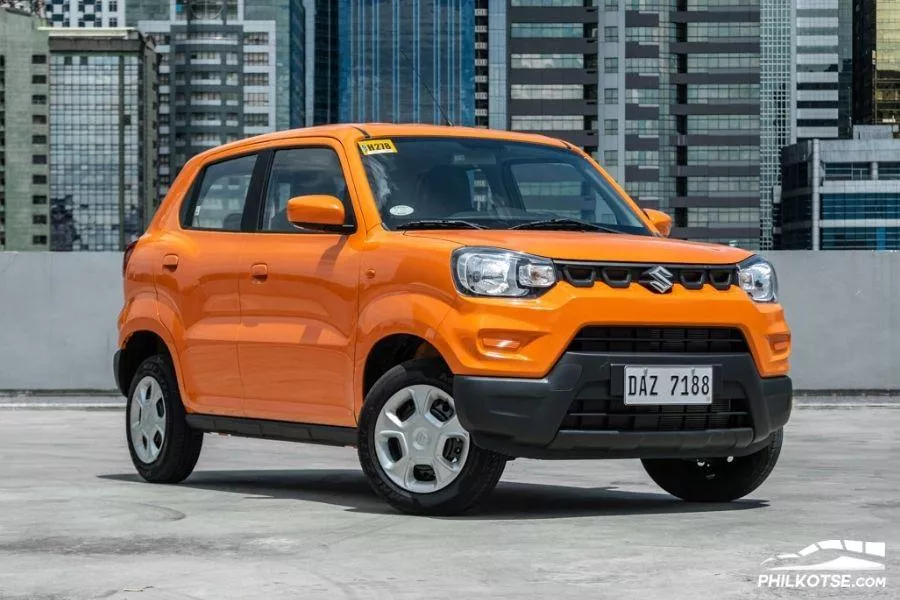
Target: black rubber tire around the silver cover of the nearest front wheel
{"type": "Point", "coordinates": [478, 476]}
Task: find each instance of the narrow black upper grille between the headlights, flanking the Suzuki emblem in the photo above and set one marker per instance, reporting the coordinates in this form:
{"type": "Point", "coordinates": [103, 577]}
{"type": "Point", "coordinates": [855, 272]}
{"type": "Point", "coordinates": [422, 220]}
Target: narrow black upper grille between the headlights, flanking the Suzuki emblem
{"type": "Point", "coordinates": [623, 275]}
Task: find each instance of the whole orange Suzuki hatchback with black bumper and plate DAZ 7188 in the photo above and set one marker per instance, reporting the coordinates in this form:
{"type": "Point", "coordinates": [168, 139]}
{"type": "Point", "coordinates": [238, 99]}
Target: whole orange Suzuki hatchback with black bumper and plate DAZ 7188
{"type": "Point", "coordinates": [445, 299]}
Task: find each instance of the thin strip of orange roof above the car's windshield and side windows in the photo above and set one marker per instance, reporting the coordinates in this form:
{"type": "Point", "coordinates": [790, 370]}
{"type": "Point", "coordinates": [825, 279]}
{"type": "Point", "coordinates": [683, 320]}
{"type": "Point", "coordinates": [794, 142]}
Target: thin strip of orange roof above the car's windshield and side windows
{"type": "Point", "coordinates": [351, 132]}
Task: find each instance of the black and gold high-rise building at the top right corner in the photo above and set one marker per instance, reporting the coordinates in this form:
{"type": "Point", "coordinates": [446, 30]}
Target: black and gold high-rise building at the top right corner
{"type": "Point", "coordinates": [876, 62]}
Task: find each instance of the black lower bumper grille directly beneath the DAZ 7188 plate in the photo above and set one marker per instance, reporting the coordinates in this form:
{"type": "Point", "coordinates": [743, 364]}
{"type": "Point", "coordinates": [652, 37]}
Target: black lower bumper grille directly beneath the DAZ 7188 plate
{"type": "Point", "coordinates": [611, 414]}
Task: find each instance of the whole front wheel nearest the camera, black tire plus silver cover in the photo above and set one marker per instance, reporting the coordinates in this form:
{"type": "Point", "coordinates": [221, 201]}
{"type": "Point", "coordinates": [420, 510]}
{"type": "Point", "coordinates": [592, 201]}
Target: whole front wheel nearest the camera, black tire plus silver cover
{"type": "Point", "coordinates": [413, 449]}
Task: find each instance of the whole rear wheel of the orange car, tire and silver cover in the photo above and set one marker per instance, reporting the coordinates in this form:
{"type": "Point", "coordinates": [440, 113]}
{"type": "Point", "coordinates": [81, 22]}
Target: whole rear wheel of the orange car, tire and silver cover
{"type": "Point", "coordinates": [163, 447]}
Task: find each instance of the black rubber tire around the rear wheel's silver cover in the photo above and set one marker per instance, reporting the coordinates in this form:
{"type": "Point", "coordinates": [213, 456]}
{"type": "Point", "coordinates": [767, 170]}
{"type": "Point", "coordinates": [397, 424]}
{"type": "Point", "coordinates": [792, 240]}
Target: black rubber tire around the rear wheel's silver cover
{"type": "Point", "coordinates": [181, 445]}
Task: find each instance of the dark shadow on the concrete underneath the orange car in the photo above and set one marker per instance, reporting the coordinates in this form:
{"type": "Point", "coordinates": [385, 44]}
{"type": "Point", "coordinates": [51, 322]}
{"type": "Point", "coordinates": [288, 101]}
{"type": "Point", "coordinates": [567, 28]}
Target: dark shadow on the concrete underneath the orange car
{"type": "Point", "coordinates": [511, 500]}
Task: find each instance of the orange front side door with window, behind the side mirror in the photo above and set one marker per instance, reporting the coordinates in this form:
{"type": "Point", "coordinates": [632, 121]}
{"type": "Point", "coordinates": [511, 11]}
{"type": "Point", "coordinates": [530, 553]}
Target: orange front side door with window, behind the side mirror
{"type": "Point", "coordinates": [299, 296]}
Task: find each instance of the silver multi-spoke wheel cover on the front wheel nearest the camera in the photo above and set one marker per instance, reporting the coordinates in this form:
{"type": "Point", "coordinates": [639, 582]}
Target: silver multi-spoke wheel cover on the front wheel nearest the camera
{"type": "Point", "coordinates": [419, 441]}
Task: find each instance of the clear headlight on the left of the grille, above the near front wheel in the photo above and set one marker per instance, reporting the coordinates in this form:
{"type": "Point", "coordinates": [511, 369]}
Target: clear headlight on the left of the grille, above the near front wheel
{"type": "Point", "coordinates": [501, 273]}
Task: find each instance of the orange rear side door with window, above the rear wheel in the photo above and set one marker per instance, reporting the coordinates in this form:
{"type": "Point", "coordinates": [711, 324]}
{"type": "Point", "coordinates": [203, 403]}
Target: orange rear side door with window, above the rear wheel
{"type": "Point", "coordinates": [197, 279]}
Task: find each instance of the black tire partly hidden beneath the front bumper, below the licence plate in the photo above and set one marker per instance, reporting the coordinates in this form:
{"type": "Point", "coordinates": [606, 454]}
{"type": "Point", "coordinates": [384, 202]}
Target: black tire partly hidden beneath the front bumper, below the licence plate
{"type": "Point", "coordinates": [716, 479]}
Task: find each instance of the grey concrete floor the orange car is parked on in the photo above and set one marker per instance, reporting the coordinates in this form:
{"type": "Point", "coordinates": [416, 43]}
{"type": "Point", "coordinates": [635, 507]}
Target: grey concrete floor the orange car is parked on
{"type": "Point", "coordinates": [275, 520]}
